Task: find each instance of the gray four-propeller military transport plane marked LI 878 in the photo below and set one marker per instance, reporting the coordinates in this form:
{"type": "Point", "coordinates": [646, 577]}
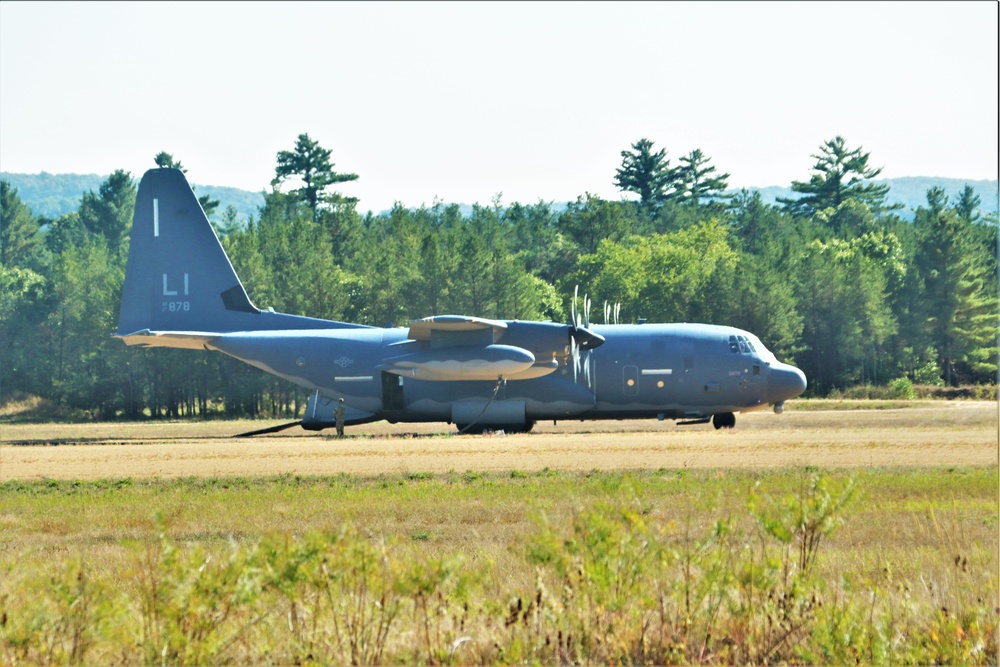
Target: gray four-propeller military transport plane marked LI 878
{"type": "Point", "coordinates": [181, 291]}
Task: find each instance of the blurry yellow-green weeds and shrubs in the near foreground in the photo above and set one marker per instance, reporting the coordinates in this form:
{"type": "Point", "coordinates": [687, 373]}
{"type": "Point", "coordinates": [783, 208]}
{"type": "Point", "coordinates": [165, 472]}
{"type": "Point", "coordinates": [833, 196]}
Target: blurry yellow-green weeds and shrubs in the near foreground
{"type": "Point", "coordinates": [620, 581]}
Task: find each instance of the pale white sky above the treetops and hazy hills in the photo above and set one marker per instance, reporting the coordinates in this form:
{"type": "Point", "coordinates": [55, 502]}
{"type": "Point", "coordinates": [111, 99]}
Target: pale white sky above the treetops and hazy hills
{"type": "Point", "coordinates": [462, 101]}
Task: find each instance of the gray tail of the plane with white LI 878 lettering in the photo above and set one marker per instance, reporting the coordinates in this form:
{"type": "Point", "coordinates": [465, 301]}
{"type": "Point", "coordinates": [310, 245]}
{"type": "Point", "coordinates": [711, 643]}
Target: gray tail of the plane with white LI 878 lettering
{"type": "Point", "coordinates": [180, 288]}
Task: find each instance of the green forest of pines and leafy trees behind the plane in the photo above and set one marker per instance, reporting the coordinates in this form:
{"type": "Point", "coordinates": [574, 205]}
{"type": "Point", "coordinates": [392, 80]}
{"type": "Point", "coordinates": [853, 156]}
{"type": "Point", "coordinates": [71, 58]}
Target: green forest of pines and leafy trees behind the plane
{"type": "Point", "coordinates": [834, 279]}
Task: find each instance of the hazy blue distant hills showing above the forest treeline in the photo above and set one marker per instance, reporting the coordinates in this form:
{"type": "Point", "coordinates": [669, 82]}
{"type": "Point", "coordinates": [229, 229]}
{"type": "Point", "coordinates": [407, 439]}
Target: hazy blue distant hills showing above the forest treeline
{"type": "Point", "coordinates": [52, 195]}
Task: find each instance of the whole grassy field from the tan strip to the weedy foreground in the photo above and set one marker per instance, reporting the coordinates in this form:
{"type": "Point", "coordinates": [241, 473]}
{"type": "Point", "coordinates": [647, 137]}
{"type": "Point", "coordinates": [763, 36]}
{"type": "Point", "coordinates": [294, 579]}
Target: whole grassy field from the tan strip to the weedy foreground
{"type": "Point", "coordinates": [820, 536]}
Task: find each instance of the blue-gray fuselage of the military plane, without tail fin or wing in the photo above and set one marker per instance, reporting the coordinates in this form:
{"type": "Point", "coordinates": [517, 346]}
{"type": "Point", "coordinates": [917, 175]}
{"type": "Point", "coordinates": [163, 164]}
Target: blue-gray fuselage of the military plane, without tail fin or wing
{"type": "Point", "coordinates": [665, 371]}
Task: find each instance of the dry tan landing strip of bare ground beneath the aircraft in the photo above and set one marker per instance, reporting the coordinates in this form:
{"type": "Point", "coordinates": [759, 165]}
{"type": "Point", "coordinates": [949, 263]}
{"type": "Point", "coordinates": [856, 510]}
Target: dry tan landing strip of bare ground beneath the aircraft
{"type": "Point", "coordinates": [936, 435]}
